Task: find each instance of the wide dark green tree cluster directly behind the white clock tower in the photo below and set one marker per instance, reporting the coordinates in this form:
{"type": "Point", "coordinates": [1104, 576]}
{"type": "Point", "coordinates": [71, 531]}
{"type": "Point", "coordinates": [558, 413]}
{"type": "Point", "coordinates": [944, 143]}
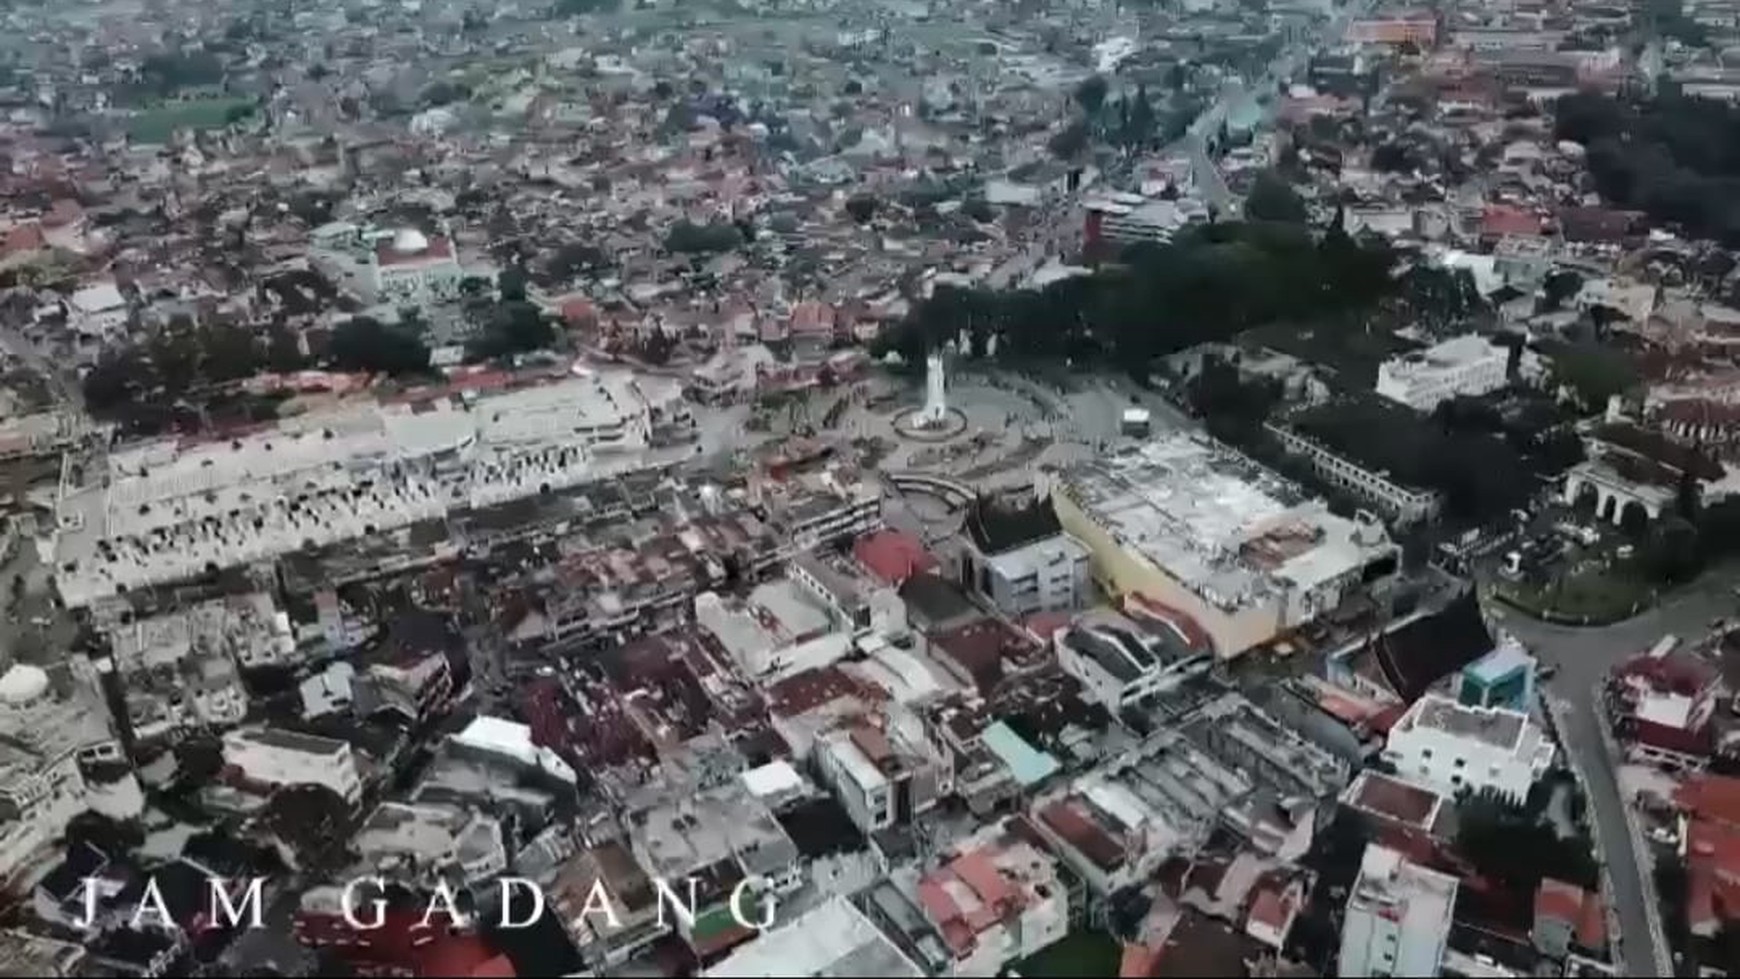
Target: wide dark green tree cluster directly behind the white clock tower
{"type": "Point", "coordinates": [1205, 286]}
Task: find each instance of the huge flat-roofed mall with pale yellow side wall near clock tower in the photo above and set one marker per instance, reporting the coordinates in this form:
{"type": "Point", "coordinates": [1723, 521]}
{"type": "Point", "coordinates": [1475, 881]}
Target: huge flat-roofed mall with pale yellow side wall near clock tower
{"type": "Point", "coordinates": [1219, 540]}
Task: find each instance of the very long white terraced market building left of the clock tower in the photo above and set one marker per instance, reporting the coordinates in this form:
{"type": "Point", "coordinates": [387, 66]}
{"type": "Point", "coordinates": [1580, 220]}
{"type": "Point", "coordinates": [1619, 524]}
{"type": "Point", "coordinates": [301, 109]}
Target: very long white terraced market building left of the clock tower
{"type": "Point", "coordinates": [177, 509]}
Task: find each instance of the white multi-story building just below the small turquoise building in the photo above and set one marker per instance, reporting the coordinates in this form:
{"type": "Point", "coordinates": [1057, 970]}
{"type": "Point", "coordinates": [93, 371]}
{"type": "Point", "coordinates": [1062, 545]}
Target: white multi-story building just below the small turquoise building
{"type": "Point", "coordinates": [1454, 747]}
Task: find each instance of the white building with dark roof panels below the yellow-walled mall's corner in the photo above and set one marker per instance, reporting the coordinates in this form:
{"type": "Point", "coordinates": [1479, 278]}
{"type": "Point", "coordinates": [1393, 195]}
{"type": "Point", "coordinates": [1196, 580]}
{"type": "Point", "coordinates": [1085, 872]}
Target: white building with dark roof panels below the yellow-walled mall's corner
{"type": "Point", "coordinates": [1121, 663]}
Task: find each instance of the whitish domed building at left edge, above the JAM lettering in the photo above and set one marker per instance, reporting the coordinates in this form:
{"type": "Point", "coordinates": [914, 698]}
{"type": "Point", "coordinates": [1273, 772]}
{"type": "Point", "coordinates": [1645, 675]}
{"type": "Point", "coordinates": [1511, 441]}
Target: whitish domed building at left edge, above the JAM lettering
{"type": "Point", "coordinates": [58, 759]}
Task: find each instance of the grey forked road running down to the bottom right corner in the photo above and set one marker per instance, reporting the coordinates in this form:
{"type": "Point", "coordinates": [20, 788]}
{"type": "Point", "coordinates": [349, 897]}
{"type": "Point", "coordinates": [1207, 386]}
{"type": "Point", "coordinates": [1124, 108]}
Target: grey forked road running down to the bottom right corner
{"type": "Point", "coordinates": [1584, 658]}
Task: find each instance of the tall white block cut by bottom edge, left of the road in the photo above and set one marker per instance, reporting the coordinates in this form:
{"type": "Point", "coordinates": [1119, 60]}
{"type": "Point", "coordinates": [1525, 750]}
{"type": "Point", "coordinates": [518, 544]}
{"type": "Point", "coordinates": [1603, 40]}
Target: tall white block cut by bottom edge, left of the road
{"type": "Point", "coordinates": [1398, 917]}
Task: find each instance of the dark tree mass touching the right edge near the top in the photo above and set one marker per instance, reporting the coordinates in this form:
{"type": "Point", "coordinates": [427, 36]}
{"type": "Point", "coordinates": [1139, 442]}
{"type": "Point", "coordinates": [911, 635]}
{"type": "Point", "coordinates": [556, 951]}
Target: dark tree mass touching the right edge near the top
{"type": "Point", "coordinates": [1675, 157]}
